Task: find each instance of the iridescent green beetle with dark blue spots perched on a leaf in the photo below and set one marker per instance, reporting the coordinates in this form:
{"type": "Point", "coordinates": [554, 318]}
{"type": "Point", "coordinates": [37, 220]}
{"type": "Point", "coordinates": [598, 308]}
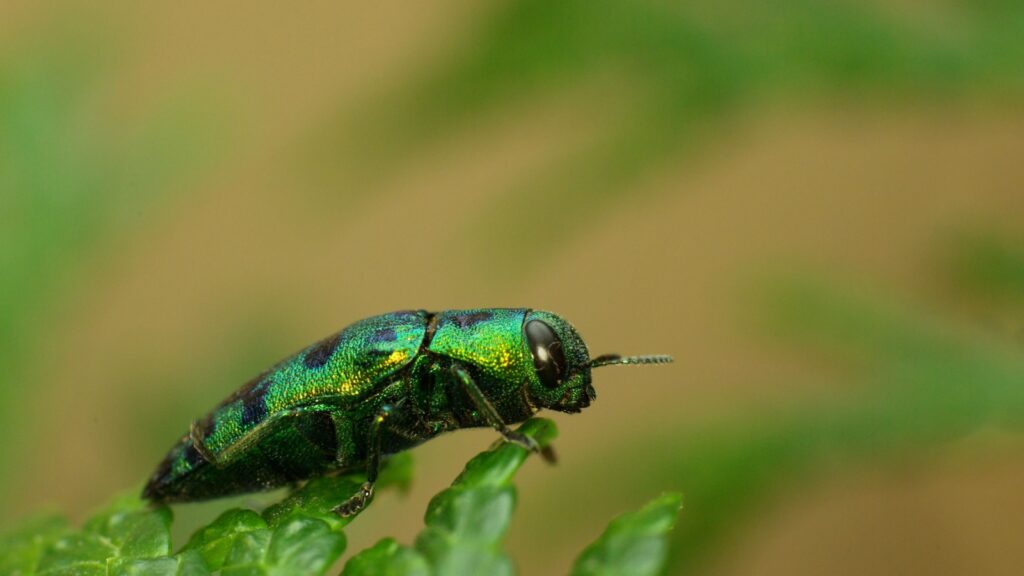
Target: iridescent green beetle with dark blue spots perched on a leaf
{"type": "Point", "coordinates": [379, 387]}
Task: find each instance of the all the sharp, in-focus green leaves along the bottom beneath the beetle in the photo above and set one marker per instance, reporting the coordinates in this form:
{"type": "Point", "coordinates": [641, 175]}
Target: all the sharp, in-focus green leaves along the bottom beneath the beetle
{"type": "Point", "coordinates": [464, 528]}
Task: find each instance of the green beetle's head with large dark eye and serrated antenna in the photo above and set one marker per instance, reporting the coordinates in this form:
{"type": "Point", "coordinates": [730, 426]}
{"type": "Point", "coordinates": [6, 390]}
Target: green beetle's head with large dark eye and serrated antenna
{"type": "Point", "coordinates": [562, 379]}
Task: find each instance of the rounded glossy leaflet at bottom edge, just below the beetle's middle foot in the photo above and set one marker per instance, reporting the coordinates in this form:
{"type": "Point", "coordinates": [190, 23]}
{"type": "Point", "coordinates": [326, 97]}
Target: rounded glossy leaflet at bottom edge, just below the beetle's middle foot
{"type": "Point", "coordinates": [301, 547]}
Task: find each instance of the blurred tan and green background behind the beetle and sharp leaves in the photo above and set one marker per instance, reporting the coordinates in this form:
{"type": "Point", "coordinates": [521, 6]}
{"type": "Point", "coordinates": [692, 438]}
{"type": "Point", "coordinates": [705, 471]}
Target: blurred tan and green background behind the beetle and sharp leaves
{"type": "Point", "coordinates": [816, 207]}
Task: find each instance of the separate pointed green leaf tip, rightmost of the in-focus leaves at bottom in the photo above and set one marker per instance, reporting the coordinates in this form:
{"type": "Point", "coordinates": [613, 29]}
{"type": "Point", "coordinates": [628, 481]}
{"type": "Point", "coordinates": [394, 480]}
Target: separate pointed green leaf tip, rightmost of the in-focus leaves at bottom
{"type": "Point", "coordinates": [635, 544]}
